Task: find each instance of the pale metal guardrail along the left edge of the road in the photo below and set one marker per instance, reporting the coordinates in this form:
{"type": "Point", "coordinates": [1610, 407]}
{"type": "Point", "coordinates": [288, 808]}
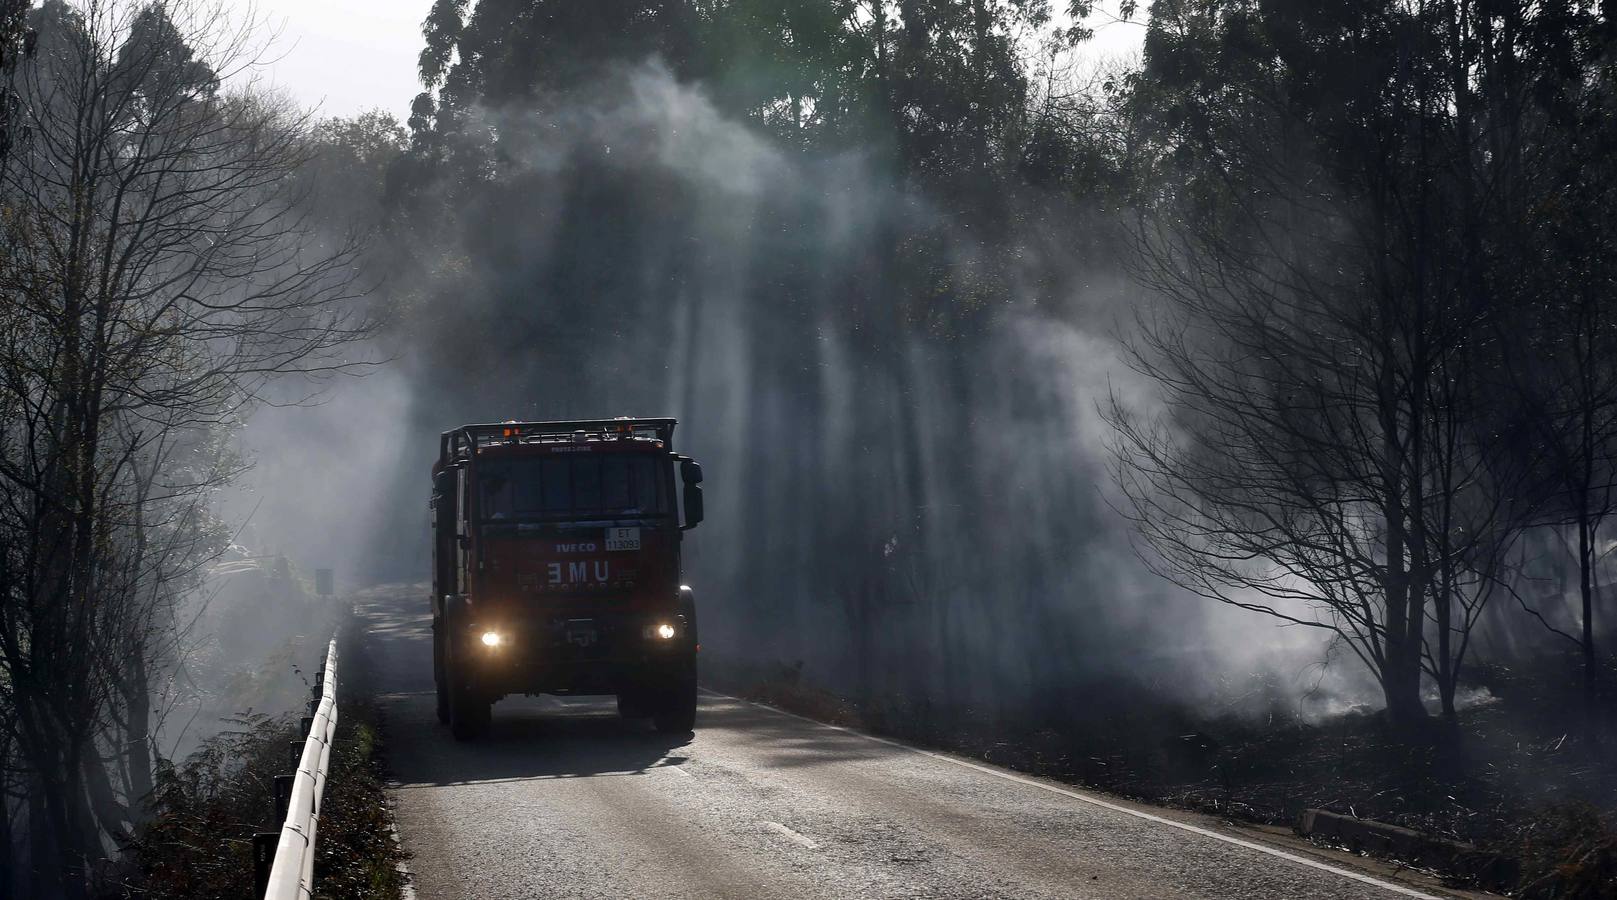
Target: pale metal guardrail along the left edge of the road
{"type": "Point", "coordinates": [289, 873]}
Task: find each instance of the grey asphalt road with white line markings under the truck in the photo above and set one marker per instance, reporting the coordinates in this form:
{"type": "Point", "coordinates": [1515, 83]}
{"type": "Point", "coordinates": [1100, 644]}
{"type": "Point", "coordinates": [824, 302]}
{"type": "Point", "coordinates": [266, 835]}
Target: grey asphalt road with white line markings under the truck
{"type": "Point", "coordinates": [568, 801]}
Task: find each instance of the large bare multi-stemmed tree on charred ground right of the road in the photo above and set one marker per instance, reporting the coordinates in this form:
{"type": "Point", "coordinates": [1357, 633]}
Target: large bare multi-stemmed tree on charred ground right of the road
{"type": "Point", "coordinates": [1336, 448]}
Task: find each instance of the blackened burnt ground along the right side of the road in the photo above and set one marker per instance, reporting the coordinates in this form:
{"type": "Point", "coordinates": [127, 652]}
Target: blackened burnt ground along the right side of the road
{"type": "Point", "coordinates": [1529, 775]}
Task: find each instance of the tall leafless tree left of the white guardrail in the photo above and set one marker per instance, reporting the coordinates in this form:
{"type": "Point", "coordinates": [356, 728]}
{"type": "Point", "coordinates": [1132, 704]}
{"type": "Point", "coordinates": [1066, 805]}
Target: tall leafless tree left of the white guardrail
{"type": "Point", "coordinates": [158, 275]}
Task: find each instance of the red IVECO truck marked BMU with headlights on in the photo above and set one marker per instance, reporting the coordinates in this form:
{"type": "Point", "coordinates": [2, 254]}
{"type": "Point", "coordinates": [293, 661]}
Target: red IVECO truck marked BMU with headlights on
{"type": "Point", "coordinates": [557, 568]}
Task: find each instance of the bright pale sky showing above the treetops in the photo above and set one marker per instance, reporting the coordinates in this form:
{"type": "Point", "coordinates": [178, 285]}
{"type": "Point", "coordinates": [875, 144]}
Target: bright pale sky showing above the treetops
{"type": "Point", "coordinates": [352, 56]}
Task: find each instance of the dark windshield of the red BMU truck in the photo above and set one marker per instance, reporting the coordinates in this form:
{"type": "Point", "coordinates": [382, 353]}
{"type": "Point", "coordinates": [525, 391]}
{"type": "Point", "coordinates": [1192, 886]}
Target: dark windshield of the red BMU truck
{"type": "Point", "coordinates": [573, 487]}
